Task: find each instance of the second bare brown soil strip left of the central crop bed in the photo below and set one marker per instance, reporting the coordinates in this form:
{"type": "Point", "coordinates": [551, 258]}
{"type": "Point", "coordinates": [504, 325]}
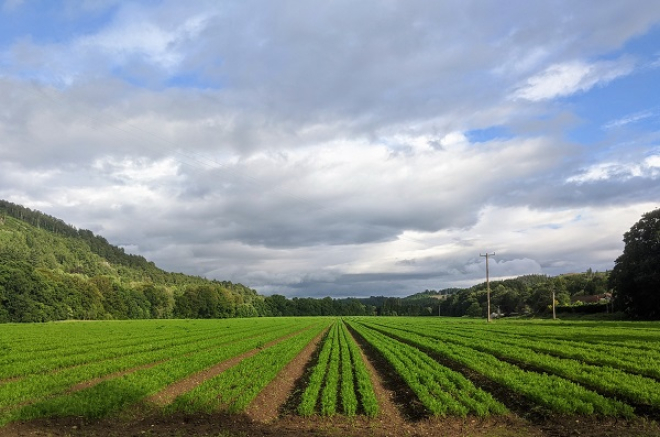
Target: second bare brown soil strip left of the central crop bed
{"type": "Point", "coordinates": [167, 396]}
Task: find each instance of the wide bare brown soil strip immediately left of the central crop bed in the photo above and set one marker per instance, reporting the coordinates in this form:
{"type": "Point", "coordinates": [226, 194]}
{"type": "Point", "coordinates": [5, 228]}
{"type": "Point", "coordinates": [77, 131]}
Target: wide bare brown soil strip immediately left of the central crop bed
{"type": "Point", "coordinates": [269, 404]}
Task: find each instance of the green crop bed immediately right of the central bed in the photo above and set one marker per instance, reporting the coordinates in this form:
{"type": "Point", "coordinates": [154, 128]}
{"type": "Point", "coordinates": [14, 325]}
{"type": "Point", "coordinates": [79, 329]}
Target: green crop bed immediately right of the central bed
{"type": "Point", "coordinates": [442, 391]}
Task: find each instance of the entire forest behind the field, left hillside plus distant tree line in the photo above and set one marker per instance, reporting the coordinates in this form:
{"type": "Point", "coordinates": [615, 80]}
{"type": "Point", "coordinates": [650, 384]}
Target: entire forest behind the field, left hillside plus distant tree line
{"type": "Point", "coordinates": [50, 270]}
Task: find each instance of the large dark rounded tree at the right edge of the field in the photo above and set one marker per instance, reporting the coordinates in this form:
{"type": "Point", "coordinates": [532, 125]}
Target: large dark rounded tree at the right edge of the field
{"type": "Point", "coordinates": [636, 274]}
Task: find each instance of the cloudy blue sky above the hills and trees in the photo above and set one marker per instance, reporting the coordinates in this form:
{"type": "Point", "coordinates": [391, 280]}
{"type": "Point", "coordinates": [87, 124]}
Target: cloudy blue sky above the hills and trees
{"type": "Point", "coordinates": [337, 148]}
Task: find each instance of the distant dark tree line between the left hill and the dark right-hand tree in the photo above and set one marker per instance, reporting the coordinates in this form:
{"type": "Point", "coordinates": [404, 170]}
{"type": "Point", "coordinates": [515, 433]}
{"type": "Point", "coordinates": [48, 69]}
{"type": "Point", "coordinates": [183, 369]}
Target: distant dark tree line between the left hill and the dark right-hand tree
{"type": "Point", "coordinates": [525, 295]}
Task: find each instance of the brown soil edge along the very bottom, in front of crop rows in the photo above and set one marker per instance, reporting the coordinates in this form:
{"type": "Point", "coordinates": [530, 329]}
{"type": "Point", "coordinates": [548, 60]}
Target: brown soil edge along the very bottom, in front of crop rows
{"type": "Point", "coordinates": [290, 426]}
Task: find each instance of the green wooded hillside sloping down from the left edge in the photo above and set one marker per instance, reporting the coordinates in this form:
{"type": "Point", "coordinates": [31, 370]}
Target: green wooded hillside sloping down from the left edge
{"type": "Point", "coordinates": [50, 270]}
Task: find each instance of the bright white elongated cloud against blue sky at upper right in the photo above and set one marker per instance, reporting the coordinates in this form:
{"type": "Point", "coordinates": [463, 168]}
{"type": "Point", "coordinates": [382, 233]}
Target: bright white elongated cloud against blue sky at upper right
{"type": "Point", "coordinates": [560, 80]}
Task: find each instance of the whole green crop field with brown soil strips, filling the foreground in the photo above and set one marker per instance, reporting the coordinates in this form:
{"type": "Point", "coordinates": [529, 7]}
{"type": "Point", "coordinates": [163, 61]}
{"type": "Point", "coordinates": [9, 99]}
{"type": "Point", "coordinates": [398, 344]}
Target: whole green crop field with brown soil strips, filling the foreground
{"type": "Point", "coordinates": [368, 375]}
